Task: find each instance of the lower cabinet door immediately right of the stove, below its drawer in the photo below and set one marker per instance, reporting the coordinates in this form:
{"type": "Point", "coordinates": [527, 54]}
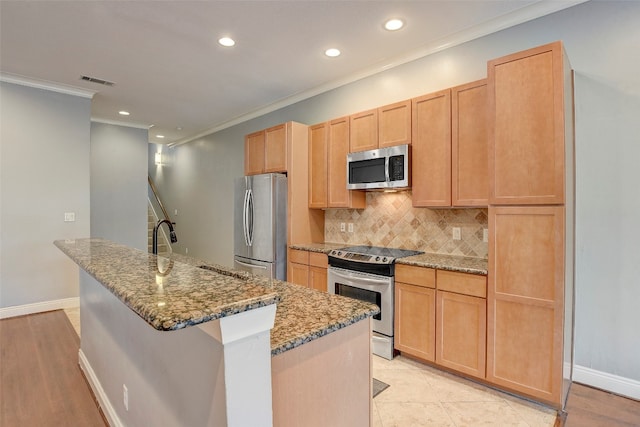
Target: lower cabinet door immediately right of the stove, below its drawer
{"type": "Point", "coordinates": [415, 320]}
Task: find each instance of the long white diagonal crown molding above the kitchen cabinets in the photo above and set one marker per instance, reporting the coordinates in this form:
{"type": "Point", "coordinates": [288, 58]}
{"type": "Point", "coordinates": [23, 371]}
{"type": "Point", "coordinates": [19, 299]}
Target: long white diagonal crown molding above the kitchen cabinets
{"type": "Point", "coordinates": [516, 17]}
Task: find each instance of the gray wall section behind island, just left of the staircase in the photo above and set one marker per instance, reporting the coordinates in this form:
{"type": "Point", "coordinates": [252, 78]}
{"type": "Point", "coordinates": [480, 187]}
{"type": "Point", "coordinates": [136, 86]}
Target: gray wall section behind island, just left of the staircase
{"type": "Point", "coordinates": [119, 184]}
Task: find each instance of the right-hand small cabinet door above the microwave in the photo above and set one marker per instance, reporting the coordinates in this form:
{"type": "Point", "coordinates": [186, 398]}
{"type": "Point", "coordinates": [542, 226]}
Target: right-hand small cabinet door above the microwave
{"type": "Point", "coordinates": [394, 124]}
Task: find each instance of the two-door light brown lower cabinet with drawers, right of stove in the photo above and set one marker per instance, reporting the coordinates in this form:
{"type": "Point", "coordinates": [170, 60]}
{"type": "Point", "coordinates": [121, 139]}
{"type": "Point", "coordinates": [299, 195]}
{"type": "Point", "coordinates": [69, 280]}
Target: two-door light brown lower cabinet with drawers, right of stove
{"type": "Point", "coordinates": [441, 317]}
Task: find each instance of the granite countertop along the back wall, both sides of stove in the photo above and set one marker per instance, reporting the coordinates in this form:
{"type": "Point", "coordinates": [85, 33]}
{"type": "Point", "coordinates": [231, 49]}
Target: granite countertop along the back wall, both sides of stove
{"type": "Point", "coordinates": [460, 264]}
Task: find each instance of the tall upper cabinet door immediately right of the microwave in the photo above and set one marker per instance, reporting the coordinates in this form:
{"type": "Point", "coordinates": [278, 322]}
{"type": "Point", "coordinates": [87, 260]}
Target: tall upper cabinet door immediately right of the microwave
{"type": "Point", "coordinates": [431, 150]}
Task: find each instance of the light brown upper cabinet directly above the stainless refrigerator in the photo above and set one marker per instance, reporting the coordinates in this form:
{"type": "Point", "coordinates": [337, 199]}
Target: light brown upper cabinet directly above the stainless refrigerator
{"type": "Point", "coordinates": [266, 151]}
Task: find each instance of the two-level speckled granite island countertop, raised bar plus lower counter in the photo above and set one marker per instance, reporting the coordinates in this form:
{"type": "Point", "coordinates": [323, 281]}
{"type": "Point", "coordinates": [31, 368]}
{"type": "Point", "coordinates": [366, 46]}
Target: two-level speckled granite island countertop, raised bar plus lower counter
{"type": "Point", "coordinates": [194, 291]}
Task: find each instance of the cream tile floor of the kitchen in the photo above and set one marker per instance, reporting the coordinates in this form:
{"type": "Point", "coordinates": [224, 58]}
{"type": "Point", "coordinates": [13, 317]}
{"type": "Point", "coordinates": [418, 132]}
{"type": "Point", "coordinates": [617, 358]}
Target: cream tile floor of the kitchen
{"type": "Point", "coordinates": [420, 395]}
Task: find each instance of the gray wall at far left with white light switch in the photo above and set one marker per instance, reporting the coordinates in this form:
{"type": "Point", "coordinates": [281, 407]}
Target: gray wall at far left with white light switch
{"type": "Point", "coordinates": [44, 172]}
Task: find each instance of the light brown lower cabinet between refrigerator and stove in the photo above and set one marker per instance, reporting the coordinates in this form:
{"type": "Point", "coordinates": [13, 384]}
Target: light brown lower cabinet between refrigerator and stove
{"type": "Point", "coordinates": [308, 269]}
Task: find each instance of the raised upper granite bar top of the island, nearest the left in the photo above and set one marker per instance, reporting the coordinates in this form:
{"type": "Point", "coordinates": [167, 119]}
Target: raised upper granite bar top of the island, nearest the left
{"type": "Point", "coordinates": [167, 294]}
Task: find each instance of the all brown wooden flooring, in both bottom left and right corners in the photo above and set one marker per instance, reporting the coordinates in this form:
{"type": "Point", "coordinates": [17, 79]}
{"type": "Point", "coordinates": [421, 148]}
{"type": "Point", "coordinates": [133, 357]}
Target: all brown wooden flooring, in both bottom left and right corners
{"type": "Point", "coordinates": [41, 383]}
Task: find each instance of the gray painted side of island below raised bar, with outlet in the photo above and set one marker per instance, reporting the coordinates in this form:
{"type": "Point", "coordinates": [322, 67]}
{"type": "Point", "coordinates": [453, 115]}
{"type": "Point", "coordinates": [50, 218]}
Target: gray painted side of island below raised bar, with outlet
{"type": "Point", "coordinates": [172, 378]}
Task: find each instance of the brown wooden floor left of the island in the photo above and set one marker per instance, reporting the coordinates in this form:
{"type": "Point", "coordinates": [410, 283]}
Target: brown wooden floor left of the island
{"type": "Point", "coordinates": [40, 381]}
